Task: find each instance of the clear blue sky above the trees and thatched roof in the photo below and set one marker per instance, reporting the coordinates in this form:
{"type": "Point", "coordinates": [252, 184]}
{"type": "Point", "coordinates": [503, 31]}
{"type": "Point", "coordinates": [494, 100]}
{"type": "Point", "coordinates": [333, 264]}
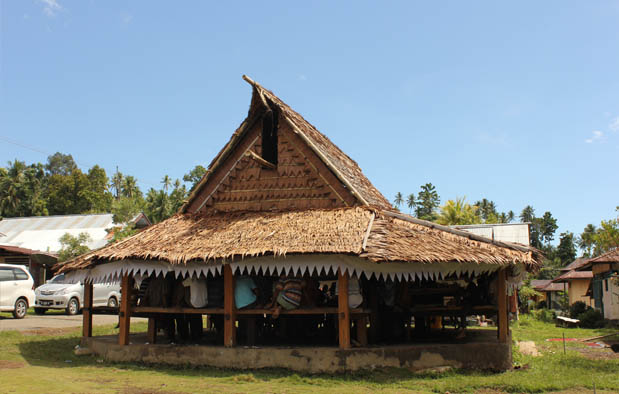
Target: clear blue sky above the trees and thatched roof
{"type": "Point", "coordinates": [517, 103]}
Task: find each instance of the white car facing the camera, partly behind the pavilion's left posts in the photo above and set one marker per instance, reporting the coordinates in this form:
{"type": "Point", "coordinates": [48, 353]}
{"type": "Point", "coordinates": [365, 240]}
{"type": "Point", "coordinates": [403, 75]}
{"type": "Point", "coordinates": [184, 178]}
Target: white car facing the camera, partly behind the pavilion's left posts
{"type": "Point", "coordinates": [56, 294]}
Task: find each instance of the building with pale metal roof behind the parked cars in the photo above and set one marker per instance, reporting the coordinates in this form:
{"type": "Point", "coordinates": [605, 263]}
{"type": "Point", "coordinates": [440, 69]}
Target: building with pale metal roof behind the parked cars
{"type": "Point", "coordinates": [34, 241]}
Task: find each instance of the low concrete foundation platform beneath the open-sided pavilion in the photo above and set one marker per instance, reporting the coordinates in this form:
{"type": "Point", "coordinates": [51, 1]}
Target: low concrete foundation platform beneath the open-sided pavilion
{"type": "Point", "coordinates": [480, 350]}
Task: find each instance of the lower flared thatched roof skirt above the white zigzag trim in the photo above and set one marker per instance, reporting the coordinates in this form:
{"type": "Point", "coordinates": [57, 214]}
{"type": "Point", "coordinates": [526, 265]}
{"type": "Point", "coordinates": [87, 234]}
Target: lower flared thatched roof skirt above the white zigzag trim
{"type": "Point", "coordinates": [370, 233]}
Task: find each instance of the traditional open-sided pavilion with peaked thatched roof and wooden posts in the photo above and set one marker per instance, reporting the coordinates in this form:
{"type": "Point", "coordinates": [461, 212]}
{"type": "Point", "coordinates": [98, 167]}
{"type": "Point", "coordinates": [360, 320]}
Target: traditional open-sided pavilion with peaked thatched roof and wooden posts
{"type": "Point", "coordinates": [281, 199]}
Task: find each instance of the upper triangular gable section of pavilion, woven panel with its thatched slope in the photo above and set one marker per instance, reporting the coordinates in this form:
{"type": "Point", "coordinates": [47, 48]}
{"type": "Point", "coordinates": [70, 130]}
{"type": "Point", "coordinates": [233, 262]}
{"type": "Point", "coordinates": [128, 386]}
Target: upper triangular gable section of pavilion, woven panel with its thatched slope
{"type": "Point", "coordinates": [340, 180]}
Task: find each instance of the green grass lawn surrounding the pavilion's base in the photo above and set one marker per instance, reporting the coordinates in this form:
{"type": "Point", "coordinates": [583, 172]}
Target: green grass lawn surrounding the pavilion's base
{"type": "Point", "coordinates": [46, 364]}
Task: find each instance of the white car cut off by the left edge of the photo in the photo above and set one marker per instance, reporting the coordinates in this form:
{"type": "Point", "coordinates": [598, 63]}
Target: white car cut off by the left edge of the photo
{"type": "Point", "coordinates": [16, 293]}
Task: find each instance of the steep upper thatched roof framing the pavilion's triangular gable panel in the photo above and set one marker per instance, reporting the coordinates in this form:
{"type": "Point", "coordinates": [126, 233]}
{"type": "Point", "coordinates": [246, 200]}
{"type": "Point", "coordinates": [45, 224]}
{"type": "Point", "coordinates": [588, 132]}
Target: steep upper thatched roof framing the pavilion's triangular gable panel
{"type": "Point", "coordinates": [346, 170]}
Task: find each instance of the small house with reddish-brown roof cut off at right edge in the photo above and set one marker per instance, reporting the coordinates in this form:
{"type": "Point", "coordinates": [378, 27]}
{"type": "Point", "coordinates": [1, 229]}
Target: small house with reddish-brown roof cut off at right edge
{"type": "Point", "coordinates": [605, 283]}
